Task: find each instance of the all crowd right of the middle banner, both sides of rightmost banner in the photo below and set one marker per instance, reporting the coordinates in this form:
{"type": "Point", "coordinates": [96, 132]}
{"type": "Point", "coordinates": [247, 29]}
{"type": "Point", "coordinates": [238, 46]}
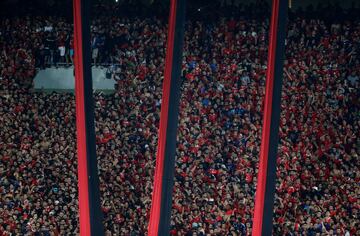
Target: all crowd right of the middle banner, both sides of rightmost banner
{"type": "Point", "coordinates": [219, 133]}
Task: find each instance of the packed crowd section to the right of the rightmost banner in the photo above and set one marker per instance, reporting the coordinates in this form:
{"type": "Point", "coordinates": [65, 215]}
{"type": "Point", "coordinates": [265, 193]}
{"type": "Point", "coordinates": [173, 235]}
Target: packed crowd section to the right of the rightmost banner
{"type": "Point", "coordinates": [319, 173]}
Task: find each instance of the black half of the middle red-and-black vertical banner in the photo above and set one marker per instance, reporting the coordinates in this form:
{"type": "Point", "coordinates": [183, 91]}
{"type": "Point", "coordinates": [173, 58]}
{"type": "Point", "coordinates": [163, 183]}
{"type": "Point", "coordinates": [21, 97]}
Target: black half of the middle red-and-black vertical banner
{"type": "Point", "coordinates": [171, 130]}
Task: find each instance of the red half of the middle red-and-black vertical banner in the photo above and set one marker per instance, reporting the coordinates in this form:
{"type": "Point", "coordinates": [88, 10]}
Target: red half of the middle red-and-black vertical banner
{"type": "Point", "coordinates": [156, 196]}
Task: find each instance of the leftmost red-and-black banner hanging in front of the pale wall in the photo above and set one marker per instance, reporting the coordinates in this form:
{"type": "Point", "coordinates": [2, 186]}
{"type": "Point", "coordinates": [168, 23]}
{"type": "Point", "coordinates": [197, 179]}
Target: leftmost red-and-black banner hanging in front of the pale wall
{"type": "Point", "coordinates": [90, 214]}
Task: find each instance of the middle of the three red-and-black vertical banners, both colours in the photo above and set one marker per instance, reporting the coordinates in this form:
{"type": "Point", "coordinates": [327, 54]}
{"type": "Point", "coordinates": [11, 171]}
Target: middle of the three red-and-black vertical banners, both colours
{"type": "Point", "coordinates": [165, 158]}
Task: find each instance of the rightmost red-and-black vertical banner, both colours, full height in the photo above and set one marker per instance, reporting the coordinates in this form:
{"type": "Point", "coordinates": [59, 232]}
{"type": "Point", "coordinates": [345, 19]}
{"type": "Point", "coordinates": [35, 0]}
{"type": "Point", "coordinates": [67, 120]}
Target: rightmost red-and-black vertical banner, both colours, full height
{"type": "Point", "coordinates": [265, 189]}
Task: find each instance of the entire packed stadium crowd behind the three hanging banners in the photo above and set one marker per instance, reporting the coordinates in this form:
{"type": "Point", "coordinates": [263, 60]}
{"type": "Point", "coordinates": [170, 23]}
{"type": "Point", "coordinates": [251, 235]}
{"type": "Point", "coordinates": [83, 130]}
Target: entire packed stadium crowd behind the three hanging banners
{"type": "Point", "coordinates": [219, 132]}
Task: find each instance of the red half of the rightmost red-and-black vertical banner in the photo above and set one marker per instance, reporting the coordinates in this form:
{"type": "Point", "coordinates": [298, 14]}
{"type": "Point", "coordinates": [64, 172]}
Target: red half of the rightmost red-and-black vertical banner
{"type": "Point", "coordinates": [264, 149]}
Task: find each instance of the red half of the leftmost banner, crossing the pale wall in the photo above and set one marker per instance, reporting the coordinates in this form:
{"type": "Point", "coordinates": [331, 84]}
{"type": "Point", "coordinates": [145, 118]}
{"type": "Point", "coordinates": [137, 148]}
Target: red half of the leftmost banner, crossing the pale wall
{"type": "Point", "coordinates": [80, 123]}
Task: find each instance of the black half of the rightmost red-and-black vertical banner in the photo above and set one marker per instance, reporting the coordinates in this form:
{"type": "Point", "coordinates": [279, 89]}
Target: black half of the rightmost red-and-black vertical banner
{"type": "Point", "coordinates": [275, 120]}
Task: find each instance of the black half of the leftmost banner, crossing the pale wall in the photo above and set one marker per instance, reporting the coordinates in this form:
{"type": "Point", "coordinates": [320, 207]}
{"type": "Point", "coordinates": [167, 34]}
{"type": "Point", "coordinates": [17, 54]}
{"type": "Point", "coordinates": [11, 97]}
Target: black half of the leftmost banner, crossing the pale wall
{"type": "Point", "coordinates": [96, 226]}
